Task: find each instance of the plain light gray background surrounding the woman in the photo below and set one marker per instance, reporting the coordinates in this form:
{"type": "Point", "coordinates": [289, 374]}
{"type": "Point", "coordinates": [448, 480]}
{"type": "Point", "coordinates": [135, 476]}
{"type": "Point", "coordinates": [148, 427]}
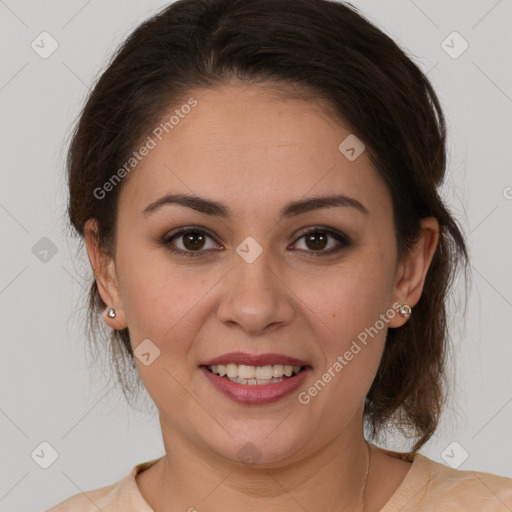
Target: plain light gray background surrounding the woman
{"type": "Point", "coordinates": [46, 388]}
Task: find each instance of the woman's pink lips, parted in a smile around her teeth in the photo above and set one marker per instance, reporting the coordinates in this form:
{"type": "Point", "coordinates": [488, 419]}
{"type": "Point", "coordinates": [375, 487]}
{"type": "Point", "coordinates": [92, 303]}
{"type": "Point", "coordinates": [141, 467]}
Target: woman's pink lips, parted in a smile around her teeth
{"type": "Point", "coordinates": [257, 394]}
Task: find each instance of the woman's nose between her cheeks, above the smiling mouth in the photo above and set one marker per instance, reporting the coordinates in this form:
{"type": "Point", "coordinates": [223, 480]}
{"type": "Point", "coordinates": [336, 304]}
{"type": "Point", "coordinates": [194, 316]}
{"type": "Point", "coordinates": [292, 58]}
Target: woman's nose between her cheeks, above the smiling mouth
{"type": "Point", "coordinates": [255, 297]}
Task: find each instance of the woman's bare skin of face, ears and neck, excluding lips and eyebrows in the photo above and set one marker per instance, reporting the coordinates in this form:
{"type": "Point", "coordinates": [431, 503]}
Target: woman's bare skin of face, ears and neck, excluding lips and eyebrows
{"type": "Point", "coordinates": [256, 149]}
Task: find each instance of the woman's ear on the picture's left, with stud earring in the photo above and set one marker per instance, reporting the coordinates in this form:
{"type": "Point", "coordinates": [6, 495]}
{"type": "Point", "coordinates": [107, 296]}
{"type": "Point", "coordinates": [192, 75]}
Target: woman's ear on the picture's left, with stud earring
{"type": "Point", "coordinates": [105, 273]}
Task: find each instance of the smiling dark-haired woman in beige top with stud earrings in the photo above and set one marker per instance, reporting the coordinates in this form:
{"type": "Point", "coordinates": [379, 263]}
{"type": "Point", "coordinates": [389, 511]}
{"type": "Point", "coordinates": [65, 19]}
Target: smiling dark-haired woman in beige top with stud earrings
{"type": "Point", "coordinates": [256, 182]}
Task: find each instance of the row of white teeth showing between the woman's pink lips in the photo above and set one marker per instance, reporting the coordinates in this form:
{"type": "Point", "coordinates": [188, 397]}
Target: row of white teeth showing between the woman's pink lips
{"type": "Point", "coordinates": [254, 374]}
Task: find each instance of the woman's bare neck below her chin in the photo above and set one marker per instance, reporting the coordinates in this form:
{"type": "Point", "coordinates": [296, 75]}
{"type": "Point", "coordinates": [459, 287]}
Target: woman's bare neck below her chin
{"type": "Point", "coordinates": [190, 477]}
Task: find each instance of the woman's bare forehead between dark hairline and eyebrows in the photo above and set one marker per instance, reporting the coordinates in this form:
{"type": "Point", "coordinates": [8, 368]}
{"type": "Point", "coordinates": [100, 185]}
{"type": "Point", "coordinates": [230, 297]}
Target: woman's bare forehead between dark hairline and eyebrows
{"type": "Point", "coordinates": [251, 145]}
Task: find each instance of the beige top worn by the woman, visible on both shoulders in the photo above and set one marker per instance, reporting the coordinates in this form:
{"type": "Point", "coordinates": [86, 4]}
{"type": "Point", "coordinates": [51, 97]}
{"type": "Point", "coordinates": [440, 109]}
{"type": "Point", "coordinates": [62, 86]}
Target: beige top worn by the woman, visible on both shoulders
{"type": "Point", "coordinates": [428, 486]}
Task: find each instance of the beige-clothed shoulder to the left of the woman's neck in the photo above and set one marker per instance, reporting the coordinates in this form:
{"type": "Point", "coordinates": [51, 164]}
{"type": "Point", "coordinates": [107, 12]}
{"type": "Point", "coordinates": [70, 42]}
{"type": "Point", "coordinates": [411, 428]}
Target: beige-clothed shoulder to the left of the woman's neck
{"type": "Point", "coordinates": [122, 495]}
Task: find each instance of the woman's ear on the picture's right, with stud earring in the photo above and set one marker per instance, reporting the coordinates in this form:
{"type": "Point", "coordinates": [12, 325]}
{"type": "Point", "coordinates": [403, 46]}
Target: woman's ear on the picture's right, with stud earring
{"type": "Point", "coordinates": [411, 273]}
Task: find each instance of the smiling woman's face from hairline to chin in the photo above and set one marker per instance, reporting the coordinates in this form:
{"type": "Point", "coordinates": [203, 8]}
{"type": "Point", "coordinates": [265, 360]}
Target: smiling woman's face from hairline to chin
{"type": "Point", "coordinates": [251, 280]}
